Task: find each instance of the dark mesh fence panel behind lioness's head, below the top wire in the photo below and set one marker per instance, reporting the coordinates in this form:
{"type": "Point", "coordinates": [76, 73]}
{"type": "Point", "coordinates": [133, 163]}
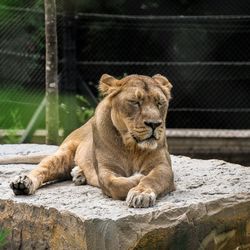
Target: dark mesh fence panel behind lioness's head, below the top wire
{"type": "Point", "coordinates": [206, 58]}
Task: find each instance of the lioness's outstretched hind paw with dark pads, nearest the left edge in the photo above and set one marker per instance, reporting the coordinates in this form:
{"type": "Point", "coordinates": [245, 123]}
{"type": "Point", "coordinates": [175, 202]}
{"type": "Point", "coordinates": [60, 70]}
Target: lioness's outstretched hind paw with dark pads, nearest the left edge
{"type": "Point", "coordinates": [22, 185]}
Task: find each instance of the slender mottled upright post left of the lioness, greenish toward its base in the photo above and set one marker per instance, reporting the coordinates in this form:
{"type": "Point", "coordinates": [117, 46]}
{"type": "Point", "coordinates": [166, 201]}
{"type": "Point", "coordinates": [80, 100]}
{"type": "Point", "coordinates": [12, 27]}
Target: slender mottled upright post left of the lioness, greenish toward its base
{"type": "Point", "coordinates": [52, 113]}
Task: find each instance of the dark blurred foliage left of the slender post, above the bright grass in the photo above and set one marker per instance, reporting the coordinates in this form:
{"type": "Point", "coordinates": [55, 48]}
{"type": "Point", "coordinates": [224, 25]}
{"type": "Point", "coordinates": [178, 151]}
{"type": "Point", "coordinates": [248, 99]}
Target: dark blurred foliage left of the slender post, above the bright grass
{"type": "Point", "coordinates": [23, 36]}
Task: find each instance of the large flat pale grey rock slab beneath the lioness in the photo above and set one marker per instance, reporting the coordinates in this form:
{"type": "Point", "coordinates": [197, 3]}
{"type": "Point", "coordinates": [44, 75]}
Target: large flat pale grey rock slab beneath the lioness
{"type": "Point", "coordinates": [209, 210]}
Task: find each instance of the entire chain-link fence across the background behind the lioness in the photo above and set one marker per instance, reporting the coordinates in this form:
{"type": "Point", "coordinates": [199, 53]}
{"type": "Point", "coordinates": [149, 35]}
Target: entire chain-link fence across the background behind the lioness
{"type": "Point", "coordinates": [202, 48]}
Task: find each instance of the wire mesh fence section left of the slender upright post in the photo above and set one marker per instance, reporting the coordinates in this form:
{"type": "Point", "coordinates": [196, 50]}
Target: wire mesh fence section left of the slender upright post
{"type": "Point", "coordinates": [21, 61]}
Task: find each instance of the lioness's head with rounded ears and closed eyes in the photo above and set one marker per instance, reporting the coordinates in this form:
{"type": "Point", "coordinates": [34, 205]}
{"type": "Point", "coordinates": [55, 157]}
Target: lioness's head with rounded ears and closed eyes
{"type": "Point", "coordinates": [138, 108]}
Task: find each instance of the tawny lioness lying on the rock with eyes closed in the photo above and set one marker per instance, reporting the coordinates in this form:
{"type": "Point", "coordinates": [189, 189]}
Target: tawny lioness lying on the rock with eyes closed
{"type": "Point", "coordinates": [122, 149]}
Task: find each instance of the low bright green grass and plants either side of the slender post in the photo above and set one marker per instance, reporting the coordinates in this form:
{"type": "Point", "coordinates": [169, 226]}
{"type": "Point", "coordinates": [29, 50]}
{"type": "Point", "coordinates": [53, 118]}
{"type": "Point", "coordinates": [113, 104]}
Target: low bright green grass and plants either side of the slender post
{"type": "Point", "coordinates": [18, 105]}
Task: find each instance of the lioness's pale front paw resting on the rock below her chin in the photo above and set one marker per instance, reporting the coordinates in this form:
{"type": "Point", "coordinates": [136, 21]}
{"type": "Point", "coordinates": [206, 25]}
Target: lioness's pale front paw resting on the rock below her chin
{"type": "Point", "coordinates": [140, 198]}
